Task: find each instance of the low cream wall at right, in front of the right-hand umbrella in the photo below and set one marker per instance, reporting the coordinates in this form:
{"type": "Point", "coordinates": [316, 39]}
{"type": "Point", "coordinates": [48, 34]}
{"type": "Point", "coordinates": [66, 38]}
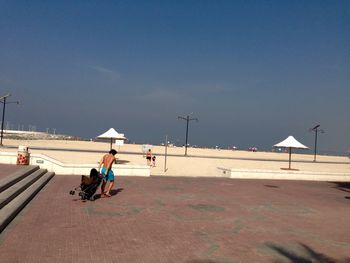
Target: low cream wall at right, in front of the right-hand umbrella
{"type": "Point", "coordinates": [283, 175]}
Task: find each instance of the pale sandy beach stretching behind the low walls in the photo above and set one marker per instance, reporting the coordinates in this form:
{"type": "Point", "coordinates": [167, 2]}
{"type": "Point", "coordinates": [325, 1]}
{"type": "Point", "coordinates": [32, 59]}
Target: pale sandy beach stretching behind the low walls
{"type": "Point", "coordinates": [199, 162]}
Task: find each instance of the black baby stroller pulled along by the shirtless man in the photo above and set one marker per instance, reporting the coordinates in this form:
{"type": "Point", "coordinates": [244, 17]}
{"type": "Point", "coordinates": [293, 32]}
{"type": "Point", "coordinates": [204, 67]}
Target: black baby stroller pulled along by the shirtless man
{"type": "Point", "coordinates": [88, 185]}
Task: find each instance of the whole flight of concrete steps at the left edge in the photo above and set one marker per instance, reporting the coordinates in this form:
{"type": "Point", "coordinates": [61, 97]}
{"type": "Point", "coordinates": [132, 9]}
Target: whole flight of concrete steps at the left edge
{"type": "Point", "coordinates": [17, 189]}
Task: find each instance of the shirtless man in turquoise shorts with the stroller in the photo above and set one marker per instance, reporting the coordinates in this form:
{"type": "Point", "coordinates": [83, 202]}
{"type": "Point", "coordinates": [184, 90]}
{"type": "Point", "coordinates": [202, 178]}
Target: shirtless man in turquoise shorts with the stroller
{"type": "Point", "coordinates": [107, 160]}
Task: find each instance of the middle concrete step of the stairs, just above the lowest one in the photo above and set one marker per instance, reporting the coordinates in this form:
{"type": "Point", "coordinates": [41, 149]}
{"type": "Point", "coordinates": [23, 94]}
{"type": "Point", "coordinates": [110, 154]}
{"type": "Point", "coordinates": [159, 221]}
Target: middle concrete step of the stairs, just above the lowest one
{"type": "Point", "coordinates": [10, 193]}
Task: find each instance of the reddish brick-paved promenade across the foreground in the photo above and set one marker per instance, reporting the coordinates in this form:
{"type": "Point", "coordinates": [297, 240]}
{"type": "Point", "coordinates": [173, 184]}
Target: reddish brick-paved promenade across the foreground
{"type": "Point", "coordinates": [192, 220]}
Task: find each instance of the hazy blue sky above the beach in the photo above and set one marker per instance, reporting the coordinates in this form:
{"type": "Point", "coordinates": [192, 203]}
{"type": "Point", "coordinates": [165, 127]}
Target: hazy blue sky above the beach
{"type": "Point", "coordinates": [252, 72]}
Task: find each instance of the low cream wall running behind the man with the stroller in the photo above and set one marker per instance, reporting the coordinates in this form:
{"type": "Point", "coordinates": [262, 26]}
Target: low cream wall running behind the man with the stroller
{"type": "Point", "coordinates": [53, 165]}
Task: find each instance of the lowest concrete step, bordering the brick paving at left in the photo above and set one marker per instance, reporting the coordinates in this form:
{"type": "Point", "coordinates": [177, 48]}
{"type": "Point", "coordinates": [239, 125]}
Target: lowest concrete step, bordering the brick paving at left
{"type": "Point", "coordinates": [9, 212]}
